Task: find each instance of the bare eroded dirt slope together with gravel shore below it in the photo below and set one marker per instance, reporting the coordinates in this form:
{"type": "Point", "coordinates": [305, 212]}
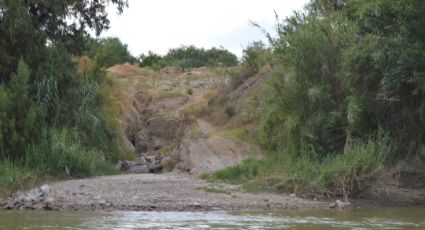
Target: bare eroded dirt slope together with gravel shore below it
{"type": "Point", "coordinates": [163, 138]}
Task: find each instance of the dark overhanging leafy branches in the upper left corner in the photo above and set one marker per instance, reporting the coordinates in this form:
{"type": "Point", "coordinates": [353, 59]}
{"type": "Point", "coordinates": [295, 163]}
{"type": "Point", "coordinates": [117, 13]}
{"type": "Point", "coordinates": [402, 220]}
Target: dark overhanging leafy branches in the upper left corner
{"type": "Point", "coordinates": [43, 22]}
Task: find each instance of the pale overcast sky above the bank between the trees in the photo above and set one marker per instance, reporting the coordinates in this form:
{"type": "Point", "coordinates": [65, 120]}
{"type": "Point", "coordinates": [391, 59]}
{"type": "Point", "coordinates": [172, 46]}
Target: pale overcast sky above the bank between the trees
{"type": "Point", "coordinates": [163, 24]}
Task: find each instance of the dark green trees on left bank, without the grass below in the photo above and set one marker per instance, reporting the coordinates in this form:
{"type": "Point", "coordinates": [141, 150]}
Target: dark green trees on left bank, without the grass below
{"type": "Point", "coordinates": [40, 87]}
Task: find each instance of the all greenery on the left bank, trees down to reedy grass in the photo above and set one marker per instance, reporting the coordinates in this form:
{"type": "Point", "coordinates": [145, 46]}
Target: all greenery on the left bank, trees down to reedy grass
{"type": "Point", "coordinates": [56, 119]}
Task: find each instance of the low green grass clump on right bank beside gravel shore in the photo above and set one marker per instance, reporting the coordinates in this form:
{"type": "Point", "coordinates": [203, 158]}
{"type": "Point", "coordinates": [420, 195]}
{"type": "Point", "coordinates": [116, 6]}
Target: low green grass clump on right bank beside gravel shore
{"type": "Point", "coordinates": [342, 175]}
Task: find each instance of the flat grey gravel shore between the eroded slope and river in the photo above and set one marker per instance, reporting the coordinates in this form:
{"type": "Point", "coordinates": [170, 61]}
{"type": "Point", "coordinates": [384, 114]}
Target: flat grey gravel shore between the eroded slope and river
{"type": "Point", "coordinates": [152, 192]}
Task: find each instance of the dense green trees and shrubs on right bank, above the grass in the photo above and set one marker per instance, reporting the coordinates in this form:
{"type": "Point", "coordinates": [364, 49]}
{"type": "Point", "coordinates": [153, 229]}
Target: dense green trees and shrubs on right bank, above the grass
{"type": "Point", "coordinates": [344, 71]}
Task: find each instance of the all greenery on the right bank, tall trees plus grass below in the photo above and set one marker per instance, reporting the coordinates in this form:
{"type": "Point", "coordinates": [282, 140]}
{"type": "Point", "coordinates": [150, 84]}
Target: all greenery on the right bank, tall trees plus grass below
{"type": "Point", "coordinates": [344, 98]}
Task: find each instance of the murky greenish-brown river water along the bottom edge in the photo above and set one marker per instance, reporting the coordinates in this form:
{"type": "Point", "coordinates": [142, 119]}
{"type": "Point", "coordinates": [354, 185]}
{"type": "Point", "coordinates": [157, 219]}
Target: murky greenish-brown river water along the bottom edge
{"type": "Point", "coordinates": [376, 218]}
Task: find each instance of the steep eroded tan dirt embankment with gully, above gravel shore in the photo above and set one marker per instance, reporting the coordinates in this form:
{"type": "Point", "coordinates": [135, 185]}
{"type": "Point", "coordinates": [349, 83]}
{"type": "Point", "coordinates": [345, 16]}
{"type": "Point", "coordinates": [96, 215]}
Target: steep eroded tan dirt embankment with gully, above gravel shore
{"type": "Point", "coordinates": [158, 126]}
